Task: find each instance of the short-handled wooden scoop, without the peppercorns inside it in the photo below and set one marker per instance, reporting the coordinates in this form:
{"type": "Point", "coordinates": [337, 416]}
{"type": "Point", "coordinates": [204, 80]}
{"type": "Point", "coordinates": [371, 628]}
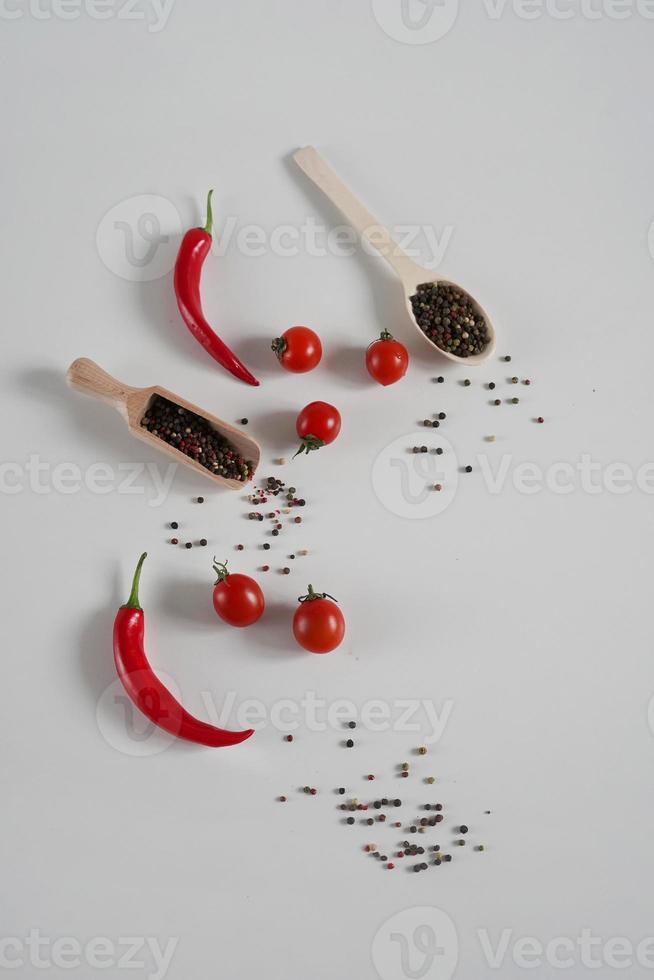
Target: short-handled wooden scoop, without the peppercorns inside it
{"type": "Point", "coordinates": [133, 403]}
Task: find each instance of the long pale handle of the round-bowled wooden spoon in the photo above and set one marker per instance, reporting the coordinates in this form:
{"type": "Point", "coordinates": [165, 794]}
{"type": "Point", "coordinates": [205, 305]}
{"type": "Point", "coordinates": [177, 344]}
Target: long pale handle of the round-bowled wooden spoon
{"type": "Point", "coordinates": [319, 171]}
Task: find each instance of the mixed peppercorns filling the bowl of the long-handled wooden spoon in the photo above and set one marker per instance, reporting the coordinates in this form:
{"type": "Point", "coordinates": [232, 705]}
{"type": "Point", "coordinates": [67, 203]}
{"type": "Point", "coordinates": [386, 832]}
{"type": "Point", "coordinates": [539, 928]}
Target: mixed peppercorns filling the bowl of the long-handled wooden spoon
{"type": "Point", "coordinates": [448, 317]}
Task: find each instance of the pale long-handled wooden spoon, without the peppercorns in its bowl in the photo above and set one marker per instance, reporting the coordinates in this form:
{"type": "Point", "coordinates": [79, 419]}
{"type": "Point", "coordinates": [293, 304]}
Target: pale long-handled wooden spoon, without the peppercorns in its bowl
{"type": "Point", "coordinates": [410, 274]}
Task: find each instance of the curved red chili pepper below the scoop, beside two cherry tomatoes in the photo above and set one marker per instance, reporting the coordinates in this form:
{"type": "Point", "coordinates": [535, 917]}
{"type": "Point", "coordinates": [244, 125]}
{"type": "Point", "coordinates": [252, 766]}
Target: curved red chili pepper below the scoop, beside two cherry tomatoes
{"type": "Point", "coordinates": [144, 687]}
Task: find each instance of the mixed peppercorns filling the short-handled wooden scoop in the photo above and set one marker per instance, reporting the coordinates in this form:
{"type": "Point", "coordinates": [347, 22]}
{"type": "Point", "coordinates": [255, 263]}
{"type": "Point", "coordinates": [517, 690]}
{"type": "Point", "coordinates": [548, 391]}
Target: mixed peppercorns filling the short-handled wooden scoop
{"type": "Point", "coordinates": [195, 437]}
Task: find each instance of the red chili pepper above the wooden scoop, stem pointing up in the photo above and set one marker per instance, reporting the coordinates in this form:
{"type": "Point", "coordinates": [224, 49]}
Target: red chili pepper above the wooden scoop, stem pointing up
{"type": "Point", "coordinates": [188, 269]}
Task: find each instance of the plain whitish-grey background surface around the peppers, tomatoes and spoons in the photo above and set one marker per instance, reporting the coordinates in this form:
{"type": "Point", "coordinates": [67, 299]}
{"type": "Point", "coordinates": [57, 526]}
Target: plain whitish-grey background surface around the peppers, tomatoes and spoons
{"type": "Point", "coordinates": [529, 614]}
